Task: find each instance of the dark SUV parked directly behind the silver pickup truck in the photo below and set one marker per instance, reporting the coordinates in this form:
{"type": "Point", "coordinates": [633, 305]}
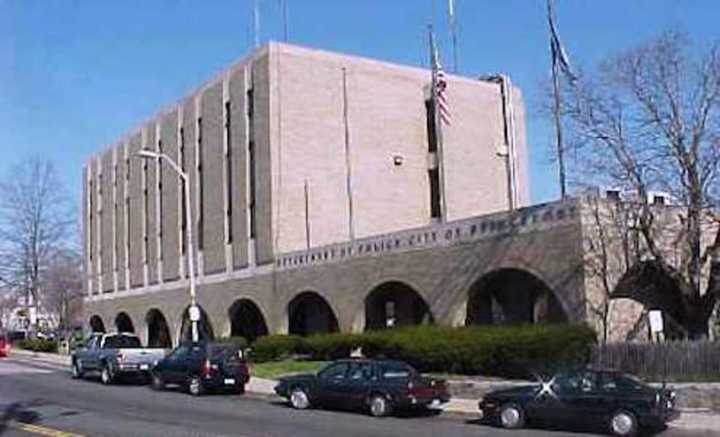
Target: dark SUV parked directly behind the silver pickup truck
{"type": "Point", "coordinates": [203, 367]}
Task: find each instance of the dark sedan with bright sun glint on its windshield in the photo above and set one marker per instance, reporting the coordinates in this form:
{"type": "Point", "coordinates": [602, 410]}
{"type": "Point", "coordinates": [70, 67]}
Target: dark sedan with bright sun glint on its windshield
{"type": "Point", "coordinates": [619, 402]}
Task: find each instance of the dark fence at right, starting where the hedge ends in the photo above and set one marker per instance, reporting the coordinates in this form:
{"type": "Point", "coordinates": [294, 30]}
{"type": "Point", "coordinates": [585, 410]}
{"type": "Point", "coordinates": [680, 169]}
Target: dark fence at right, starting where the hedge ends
{"type": "Point", "coordinates": [671, 361]}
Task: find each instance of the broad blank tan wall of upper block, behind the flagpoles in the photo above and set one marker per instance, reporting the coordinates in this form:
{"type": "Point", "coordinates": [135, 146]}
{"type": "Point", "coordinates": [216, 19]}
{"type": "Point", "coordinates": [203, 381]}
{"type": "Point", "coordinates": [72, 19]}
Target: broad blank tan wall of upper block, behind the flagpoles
{"type": "Point", "coordinates": [386, 117]}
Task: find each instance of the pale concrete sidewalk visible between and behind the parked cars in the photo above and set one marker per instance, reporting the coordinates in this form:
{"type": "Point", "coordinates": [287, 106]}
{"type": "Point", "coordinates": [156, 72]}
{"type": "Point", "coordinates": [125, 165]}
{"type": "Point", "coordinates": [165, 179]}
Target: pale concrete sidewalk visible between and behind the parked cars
{"type": "Point", "coordinates": [695, 419]}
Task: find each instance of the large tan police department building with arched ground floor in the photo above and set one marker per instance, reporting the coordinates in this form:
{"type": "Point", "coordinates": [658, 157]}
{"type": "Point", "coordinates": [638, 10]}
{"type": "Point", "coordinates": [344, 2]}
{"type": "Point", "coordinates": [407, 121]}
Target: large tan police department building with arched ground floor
{"type": "Point", "coordinates": [322, 200]}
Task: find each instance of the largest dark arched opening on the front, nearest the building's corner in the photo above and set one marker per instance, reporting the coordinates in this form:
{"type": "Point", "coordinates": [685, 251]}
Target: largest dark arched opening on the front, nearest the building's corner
{"type": "Point", "coordinates": [512, 296]}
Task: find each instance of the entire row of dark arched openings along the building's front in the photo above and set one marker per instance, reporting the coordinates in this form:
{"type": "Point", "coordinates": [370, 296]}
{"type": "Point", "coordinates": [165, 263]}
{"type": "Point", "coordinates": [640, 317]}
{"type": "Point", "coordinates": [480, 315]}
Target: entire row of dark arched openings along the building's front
{"type": "Point", "coordinates": [505, 296]}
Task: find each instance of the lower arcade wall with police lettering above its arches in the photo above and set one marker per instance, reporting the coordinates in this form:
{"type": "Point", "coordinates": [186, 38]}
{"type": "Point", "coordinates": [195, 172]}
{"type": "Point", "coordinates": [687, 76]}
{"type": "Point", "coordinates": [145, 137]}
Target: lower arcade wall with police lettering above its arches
{"type": "Point", "coordinates": [441, 263]}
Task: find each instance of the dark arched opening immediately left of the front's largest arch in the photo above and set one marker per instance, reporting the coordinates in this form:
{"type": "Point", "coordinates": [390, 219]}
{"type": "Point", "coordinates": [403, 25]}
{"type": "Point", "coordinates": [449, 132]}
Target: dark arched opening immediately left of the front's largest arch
{"type": "Point", "coordinates": [395, 304]}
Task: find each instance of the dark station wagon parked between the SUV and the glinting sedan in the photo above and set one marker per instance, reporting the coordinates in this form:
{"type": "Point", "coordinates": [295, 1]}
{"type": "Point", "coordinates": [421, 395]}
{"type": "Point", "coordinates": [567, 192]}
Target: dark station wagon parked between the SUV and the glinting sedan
{"type": "Point", "coordinates": [377, 386]}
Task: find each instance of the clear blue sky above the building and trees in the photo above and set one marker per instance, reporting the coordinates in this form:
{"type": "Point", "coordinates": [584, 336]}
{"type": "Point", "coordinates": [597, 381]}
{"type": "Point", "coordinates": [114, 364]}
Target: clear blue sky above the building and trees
{"type": "Point", "coordinates": [77, 74]}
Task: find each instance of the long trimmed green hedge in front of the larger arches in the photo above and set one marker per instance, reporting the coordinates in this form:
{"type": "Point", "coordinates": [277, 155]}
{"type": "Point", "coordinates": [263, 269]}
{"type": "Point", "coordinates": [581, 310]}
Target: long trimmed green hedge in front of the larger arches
{"type": "Point", "coordinates": [506, 351]}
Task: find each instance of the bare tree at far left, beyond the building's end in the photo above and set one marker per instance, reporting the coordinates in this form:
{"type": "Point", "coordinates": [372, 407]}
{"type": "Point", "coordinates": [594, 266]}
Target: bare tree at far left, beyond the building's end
{"type": "Point", "coordinates": [35, 221]}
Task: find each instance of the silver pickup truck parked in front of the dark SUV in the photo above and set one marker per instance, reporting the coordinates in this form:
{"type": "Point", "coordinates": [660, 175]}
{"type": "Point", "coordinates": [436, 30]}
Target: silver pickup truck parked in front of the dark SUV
{"type": "Point", "coordinates": [114, 356]}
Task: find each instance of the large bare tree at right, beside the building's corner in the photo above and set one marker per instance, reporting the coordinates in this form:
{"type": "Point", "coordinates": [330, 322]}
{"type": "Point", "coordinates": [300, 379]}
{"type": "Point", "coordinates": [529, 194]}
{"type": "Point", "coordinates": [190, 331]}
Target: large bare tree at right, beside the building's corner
{"type": "Point", "coordinates": [649, 119]}
